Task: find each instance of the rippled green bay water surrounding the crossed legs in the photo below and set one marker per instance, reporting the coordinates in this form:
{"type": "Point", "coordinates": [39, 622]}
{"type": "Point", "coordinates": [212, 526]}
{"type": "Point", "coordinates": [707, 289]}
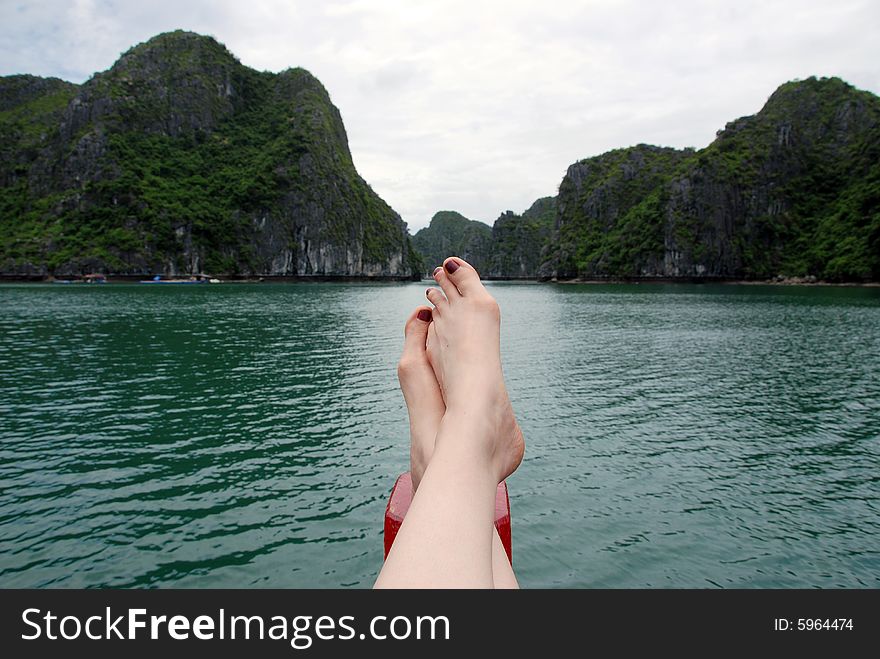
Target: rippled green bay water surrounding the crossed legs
{"type": "Point", "coordinates": [248, 435]}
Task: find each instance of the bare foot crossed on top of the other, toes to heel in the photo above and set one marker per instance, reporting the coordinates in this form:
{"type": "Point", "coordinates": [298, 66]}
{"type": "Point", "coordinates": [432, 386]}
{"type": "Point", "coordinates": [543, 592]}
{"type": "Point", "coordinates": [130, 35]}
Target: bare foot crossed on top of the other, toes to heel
{"type": "Point", "coordinates": [464, 350]}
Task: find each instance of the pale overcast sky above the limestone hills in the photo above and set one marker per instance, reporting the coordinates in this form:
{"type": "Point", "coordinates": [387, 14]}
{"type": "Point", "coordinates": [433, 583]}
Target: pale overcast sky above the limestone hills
{"type": "Point", "coordinates": [479, 106]}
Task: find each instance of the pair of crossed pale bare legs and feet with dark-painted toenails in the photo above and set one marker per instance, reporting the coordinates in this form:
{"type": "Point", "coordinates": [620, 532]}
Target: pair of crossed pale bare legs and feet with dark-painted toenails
{"type": "Point", "coordinates": [464, 440]}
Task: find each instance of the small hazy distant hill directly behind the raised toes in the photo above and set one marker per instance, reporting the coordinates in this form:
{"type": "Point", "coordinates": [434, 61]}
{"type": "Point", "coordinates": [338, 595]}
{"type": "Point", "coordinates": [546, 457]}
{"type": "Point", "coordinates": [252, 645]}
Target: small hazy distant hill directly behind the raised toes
{"type": "Point", "coordinates": [452, 234]}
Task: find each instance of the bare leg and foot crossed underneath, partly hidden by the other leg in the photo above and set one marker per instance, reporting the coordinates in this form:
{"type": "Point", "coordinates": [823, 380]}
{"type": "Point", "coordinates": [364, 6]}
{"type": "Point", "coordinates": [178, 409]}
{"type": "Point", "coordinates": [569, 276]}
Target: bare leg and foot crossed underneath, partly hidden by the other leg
{"type": "Point", "coordinates": [424, 403]}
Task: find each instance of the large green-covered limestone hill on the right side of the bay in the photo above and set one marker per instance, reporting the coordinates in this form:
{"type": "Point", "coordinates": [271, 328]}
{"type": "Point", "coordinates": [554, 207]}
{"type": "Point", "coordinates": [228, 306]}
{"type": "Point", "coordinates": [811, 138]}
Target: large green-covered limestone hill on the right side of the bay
{"type": "Point", "coordinates": [793, 191]}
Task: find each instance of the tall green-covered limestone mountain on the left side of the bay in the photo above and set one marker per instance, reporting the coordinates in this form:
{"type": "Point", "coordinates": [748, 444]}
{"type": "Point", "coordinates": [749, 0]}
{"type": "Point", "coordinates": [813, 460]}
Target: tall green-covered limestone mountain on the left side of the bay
{"type": "Point", "coordinates": [180, 159]}
